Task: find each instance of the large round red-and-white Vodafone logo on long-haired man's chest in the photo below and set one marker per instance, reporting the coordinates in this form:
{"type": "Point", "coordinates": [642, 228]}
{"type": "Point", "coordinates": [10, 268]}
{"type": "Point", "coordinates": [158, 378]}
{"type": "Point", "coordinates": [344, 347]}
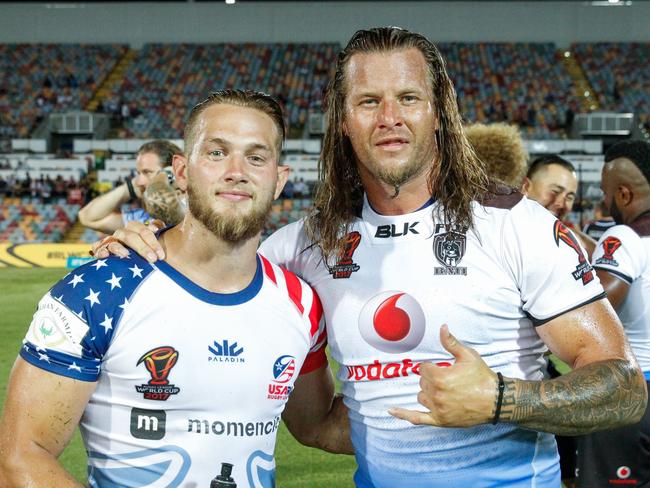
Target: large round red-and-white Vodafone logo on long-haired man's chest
{"type": "Point", "coordinates": [392, 321]}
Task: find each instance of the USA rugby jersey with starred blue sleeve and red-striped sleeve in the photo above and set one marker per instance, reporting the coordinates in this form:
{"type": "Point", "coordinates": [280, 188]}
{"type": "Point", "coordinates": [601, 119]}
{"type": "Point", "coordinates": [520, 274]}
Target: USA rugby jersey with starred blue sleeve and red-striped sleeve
{"type": "Point", "coordinates": [186, 379]}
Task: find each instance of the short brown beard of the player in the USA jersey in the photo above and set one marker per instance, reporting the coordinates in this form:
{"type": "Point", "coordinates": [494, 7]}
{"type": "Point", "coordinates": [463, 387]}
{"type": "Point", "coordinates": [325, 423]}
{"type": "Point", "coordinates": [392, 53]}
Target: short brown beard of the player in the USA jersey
{"type": "Point", "coordinates": [229, 226]}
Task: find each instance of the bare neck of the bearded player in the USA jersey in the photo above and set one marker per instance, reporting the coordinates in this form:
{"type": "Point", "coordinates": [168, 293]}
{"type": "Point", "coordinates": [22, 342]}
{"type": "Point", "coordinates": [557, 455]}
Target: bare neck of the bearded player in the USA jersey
{"type": "Point", "coordinates": [210, 262]}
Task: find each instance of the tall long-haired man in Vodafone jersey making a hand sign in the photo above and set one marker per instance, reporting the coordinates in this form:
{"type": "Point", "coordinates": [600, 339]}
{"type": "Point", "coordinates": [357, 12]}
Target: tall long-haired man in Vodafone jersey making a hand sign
{"type": "Point", "coordinates": [406, 237]}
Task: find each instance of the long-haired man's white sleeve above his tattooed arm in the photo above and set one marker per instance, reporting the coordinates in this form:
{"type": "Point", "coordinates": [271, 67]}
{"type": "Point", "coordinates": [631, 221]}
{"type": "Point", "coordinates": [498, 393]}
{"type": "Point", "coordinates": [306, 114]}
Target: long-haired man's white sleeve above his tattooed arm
{"type": "Point", "coordinates": [548, 263]}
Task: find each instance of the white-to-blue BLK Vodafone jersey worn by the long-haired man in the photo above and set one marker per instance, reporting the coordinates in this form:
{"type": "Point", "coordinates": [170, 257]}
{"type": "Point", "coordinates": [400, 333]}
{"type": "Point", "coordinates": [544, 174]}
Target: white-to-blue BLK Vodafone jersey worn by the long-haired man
{"type": "Point", "coordinates": [385, 298]}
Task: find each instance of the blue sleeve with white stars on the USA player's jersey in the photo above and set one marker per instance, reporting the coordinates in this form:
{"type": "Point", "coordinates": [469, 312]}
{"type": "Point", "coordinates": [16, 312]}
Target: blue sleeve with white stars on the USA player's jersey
{"type": "Point", "coordinates": [74, 322]}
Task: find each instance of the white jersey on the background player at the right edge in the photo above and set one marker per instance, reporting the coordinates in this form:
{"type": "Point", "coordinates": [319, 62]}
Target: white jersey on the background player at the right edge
{"type": "Point", "coordinates": [625, 252]}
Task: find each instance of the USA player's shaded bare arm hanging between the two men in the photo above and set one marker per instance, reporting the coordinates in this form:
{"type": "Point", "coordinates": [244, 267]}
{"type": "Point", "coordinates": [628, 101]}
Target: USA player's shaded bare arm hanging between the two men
{"type": "Point", "coordinates": [315, 416]}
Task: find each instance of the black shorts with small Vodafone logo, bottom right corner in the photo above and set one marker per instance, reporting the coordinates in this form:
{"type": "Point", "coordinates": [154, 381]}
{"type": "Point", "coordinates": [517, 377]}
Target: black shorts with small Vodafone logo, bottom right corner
{"type": "Point", "coordinates": [618, 457]}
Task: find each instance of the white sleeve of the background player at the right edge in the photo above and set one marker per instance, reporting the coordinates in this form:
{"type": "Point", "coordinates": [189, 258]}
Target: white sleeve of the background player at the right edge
{"type": "Point", "coordinates": [620, 252]}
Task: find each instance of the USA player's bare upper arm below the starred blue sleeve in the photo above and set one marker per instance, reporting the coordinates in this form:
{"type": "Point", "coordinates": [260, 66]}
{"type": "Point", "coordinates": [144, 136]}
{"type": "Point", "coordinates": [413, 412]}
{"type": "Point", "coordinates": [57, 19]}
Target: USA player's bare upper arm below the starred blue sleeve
{"type": "Point", "coordinates": [41, 413]}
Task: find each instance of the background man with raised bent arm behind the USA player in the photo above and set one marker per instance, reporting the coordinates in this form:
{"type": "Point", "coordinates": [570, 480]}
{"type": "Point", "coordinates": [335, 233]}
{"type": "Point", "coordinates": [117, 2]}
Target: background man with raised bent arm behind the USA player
{"type": "Point", "coordinates": [104, 212]}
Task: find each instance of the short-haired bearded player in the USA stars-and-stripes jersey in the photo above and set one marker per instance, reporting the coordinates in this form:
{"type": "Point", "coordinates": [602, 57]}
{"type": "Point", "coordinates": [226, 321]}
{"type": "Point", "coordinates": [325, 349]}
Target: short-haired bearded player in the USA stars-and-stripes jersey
{"type": "Point", "coordinates": [175, 368]}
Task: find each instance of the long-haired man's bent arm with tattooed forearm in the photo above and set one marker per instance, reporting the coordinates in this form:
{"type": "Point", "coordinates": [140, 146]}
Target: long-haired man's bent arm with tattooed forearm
{"type": "Point", "coordinates": [606, 389]}
